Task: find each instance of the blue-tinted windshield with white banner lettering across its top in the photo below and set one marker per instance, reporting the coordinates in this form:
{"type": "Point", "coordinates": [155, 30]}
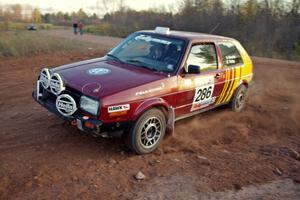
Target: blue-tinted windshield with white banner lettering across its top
{"type": "Point", "coordinates": [150, 51]}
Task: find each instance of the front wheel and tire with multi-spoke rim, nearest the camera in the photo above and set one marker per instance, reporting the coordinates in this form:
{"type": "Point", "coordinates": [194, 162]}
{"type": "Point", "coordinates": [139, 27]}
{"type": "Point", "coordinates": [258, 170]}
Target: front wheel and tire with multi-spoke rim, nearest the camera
{"type": "Point", "coordinates": [147, 132]}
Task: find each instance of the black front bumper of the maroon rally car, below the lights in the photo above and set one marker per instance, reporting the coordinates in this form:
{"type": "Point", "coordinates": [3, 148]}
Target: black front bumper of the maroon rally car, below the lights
{"type": "Point", "coordinates": [83, 122]}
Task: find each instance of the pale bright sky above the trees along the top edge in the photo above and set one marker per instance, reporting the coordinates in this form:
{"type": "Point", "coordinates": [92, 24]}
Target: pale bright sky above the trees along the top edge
{"type": "Point", "coordinates": [88, 5]}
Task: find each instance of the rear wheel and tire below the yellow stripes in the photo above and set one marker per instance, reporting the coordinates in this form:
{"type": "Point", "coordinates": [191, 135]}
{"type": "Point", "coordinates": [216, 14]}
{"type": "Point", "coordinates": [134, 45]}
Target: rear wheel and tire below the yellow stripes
{"type": "Point", "coordinates": [239, 99]}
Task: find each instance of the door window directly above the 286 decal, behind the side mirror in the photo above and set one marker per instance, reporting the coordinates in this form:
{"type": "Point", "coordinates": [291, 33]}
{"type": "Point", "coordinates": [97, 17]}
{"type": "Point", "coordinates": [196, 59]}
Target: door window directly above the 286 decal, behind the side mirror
{"type": "Point", "coordinates": [203, 55]}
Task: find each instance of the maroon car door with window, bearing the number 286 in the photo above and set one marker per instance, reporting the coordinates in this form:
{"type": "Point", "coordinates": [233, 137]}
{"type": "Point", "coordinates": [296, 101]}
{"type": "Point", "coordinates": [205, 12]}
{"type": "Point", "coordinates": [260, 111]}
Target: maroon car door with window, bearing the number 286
{"type": "Point", "coordinates": [200, 91]}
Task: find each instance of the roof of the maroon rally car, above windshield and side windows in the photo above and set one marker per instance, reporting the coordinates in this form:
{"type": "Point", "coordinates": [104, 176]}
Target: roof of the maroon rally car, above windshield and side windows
{"type": "Point", "coordinates": [191, 36]}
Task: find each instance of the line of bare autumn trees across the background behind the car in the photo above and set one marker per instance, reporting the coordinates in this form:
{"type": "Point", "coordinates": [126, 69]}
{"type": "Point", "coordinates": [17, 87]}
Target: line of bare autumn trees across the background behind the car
{"type": "Point", "coordinates": [265, 27]}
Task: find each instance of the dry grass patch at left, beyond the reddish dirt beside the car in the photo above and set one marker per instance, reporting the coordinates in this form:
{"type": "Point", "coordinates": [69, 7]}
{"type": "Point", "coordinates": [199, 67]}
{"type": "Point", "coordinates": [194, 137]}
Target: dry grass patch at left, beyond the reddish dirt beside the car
{"type": "Point", "coordinates": [26, 43]}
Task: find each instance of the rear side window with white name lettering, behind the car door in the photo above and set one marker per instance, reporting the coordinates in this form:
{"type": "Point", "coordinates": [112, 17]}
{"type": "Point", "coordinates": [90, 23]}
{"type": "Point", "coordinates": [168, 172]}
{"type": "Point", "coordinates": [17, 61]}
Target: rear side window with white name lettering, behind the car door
{"type": "Point", "coordinates": [230, 54]}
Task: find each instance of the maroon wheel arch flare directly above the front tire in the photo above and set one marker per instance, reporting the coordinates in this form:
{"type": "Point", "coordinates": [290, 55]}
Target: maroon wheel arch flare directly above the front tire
{"type": "Point", "coordinates": [148, 104]}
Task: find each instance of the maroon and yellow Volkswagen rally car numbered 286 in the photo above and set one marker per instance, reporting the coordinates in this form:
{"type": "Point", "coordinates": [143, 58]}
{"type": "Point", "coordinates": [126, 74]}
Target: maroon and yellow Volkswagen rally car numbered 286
{"type": "Point", "coordinates": [146, 83]}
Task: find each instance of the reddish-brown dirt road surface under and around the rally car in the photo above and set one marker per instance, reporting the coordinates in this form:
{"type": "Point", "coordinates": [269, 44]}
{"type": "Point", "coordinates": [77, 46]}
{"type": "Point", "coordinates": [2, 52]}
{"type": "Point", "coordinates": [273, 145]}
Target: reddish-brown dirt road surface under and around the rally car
{"type": "Point", "coordinates": [216, 155]}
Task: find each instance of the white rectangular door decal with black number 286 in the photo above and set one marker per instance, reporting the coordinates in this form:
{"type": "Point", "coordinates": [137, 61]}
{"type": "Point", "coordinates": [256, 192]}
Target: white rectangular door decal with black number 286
{"type": "Point", "coordinates": [203, 93]}
